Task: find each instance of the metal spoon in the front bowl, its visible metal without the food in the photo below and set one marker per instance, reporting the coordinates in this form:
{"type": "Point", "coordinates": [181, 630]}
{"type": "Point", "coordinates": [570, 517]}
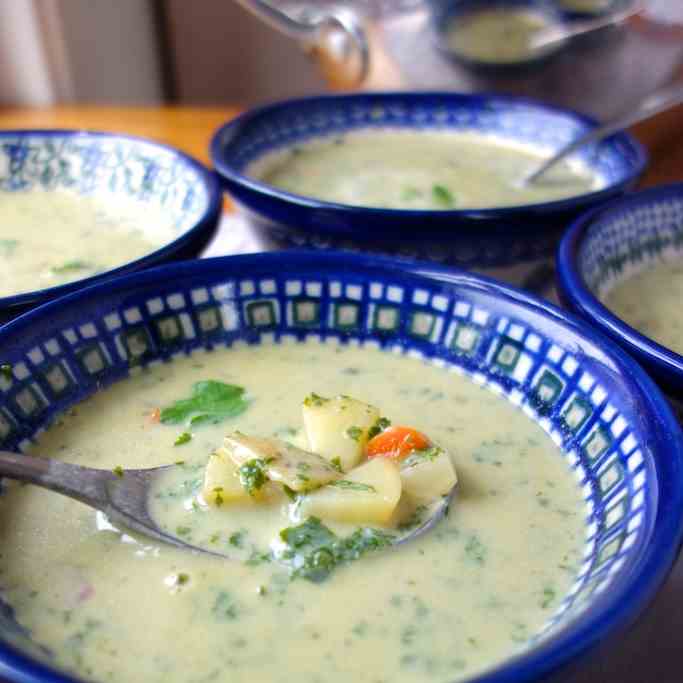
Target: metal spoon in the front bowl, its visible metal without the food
{"type": "Point", "coordinates": [123, 495]}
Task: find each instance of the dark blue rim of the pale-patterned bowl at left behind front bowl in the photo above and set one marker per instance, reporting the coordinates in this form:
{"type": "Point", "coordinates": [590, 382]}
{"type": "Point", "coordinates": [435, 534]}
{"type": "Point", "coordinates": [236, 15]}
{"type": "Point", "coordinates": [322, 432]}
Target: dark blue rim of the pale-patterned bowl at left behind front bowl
{"type": "Point", "coordinates": [207, 221]}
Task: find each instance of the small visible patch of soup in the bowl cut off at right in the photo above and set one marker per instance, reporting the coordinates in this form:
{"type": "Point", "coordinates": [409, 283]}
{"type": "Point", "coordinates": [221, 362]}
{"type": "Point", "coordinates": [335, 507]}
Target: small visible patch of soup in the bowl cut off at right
{"type": "Point", "coordinates": [651, 303]}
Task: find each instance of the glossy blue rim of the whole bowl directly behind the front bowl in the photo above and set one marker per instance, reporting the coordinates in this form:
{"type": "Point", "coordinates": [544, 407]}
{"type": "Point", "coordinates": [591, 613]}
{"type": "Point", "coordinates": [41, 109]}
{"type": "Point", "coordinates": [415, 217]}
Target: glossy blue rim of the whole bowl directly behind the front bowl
{"type": "Point", "coordinates": [227, 172]}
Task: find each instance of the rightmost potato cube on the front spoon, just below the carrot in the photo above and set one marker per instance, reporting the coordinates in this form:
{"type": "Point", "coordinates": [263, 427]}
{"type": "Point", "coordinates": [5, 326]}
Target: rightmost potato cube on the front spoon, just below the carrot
{"type": "Point", "coordinates": [428, 474]}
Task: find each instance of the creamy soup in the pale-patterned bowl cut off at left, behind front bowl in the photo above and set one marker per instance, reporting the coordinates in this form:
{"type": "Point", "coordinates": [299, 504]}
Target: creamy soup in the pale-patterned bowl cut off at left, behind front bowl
{"type": "Point", "coordinates": [51, 238]}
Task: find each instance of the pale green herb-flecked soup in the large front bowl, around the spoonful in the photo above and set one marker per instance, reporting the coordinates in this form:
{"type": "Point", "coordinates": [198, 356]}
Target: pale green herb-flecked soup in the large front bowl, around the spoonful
{"type": "Point", "coordinates": [468, 594]}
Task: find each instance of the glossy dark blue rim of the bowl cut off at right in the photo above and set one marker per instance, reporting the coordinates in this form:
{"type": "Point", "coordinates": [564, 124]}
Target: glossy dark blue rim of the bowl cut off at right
{"type": "Point", "coordinates": [576, 293]}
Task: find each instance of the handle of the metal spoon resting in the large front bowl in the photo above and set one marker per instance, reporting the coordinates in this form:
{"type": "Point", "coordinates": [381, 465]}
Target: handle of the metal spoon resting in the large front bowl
{"type": "Point", "coordinates": [86, 484]}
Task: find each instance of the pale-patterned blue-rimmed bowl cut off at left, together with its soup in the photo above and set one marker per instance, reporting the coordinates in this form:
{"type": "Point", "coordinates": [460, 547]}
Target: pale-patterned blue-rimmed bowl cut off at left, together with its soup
{"type": "Point", "coordinates": [78, 206]}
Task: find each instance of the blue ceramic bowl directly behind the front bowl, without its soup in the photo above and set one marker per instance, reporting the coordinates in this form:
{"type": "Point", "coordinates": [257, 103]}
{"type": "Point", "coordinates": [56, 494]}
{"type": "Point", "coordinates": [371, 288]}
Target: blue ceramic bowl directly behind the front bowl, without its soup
{"type": "Point", "coordinates": [493, 240]}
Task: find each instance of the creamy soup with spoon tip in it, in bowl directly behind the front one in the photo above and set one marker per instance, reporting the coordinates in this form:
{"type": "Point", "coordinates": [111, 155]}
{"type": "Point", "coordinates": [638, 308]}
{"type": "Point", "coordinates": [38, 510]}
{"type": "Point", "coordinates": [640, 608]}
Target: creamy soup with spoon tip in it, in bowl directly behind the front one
{"type": "Point", "coordinates": [408, 170]}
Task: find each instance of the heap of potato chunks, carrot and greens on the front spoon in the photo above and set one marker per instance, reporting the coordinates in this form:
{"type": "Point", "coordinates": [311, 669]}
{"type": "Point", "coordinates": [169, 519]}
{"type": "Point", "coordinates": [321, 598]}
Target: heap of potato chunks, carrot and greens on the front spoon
{"type": "Point", "coordinates": [353, 468]}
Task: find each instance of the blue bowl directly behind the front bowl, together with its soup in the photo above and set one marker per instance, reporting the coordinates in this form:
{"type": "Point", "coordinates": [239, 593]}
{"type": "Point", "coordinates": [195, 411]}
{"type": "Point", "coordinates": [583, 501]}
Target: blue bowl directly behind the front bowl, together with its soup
{"type": "Point", "coordinates": [432, 175]}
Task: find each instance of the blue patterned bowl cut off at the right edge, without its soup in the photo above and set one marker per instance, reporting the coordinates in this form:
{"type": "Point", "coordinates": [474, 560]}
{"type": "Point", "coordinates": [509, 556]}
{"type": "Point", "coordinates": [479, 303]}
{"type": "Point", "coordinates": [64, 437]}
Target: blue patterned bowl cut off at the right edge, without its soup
{"type": "Point", "coordinates": [608, 246]}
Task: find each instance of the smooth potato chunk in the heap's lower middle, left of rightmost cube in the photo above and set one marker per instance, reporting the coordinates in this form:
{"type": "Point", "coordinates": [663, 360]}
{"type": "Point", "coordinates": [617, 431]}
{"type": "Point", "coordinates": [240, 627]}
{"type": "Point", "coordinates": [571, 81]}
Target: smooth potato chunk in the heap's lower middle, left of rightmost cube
{"type": "Point", "coordinates": [367, 494]}
